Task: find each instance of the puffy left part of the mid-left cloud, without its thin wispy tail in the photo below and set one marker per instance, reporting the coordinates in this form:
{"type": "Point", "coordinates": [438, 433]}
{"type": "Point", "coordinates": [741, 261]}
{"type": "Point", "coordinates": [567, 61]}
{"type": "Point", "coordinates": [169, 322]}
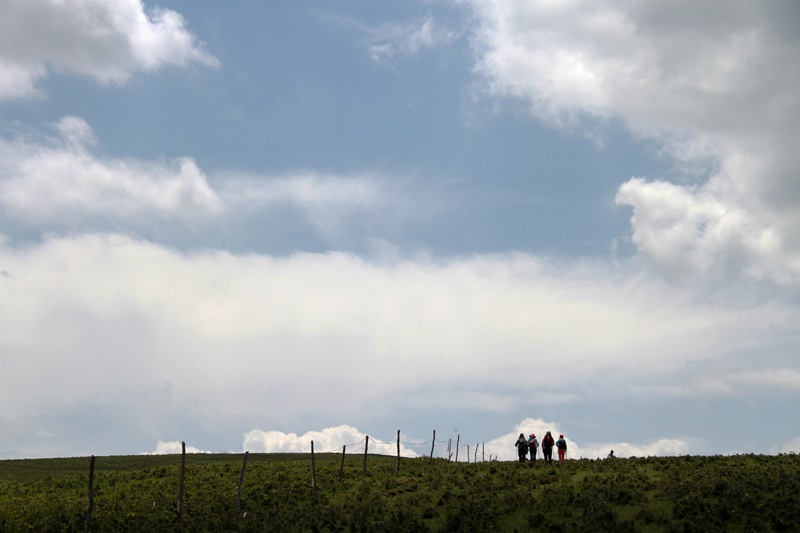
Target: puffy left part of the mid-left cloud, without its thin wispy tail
{"type": "Point", "coordinates": [64, 180]}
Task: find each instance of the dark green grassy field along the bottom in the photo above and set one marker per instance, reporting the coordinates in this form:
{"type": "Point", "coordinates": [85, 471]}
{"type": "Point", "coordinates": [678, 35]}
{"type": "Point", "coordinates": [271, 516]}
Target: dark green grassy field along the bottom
{"type": "Point", "coordinates": [140, 493]}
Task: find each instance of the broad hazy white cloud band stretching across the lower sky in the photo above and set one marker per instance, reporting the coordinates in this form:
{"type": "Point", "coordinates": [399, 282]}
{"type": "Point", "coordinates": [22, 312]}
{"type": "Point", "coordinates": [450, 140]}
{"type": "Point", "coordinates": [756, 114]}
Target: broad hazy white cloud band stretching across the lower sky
{"type": "Point", "coordinates": [109, 317]}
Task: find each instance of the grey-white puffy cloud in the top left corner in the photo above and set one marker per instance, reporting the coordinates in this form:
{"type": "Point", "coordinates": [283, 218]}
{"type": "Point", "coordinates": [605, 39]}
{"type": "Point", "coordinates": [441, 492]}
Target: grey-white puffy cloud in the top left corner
{"type": "Point", "coordinates": [109, 40]}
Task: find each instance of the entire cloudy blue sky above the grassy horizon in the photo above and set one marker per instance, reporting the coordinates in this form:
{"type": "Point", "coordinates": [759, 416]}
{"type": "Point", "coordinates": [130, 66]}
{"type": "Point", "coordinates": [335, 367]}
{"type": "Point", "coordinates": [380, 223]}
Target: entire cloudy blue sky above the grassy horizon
{"type": "Point", "coordinates": [249, 225]}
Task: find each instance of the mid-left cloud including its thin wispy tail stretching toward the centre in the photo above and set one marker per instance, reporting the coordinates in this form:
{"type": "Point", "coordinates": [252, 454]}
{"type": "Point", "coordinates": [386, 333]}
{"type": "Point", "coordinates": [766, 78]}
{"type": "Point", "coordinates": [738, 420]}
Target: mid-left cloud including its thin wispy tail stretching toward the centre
{"type": "Point", "coordinates": [50, 182]}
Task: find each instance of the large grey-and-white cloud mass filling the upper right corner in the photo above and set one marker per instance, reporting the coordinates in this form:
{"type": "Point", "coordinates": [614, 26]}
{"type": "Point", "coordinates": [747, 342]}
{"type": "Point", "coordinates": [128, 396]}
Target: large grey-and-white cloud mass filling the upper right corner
{"type": "Point", "coordinates": [711, 85]}
